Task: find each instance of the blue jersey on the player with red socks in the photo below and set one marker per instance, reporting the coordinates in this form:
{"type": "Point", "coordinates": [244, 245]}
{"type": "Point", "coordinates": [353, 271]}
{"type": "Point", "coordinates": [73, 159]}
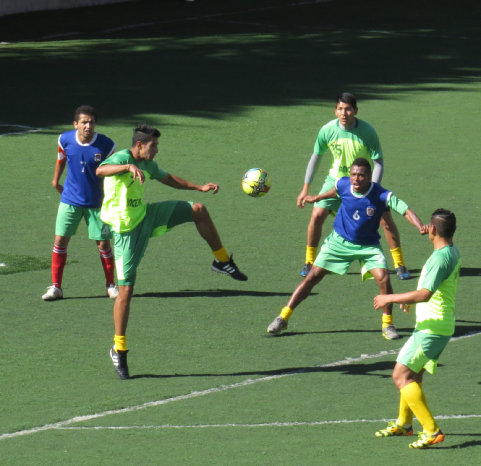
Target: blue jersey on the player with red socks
{"type": "Point", "coordinates": [82, 187]}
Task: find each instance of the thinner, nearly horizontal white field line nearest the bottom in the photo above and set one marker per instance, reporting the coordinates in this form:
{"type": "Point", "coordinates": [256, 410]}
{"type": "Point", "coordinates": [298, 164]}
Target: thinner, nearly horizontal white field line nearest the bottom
{"type": "Point", "coordinates": [262, 424]}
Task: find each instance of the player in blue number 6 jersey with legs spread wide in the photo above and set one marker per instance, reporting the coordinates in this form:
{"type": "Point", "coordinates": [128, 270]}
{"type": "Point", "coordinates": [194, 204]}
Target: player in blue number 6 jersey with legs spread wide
{"type": "Point", "coordinates": [355, 237]}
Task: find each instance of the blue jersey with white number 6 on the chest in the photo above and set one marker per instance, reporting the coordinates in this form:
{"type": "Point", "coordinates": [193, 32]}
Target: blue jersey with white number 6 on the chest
{"type": "Point", "coordinates": [359, 216]}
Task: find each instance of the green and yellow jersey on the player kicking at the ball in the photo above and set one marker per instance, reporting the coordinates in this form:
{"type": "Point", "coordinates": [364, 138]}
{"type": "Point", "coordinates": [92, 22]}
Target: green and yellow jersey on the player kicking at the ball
{"type": "Point", "coordinates": [123, 207]}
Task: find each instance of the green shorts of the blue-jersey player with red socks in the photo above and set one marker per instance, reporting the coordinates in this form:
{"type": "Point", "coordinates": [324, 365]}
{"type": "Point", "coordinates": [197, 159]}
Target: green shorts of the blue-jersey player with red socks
{"type": "Point", "coordinates": [69, 217]}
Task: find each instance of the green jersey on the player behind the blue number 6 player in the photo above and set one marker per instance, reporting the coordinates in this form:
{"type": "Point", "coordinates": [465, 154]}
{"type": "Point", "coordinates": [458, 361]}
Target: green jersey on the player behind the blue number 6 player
{"type": "Point", "coordinates": [346, 145]}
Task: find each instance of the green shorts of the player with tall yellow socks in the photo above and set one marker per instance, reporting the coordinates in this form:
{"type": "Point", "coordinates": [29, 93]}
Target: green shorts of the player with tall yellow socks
{"type": "Point", "coordinates": [422, 350]}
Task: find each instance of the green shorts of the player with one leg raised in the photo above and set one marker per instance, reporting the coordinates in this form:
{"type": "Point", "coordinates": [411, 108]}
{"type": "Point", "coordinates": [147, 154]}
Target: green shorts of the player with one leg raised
{"type": "Point", "coordinates": [129, 248]}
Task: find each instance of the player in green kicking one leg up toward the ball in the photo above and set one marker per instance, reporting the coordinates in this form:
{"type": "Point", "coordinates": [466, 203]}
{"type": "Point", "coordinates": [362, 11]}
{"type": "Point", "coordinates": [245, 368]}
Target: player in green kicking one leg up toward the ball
{"type": "Point", "coordinates": [133, 223]}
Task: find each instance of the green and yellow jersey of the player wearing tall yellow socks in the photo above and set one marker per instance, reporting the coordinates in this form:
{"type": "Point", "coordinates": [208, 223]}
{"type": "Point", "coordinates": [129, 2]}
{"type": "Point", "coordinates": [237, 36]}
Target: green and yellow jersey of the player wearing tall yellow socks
{"type": "Point", "coordinates": [439, 275]}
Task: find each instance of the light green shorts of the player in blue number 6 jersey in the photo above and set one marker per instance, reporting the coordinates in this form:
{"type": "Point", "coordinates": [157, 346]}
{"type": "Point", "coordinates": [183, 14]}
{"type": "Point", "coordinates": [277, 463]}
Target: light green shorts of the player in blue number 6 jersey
{"type": "Point", "coordinates": [337, 254]}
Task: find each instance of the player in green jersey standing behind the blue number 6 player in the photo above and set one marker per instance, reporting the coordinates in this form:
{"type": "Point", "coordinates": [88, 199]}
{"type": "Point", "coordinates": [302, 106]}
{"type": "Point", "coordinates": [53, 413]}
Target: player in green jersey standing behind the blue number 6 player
{"type": "Point", "coordinates": [347, 138]}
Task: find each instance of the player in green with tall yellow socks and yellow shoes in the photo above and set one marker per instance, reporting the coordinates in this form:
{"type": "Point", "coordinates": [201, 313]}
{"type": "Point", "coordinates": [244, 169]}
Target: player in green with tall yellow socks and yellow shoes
{"type": "Point", "coordinates": [435, 321]}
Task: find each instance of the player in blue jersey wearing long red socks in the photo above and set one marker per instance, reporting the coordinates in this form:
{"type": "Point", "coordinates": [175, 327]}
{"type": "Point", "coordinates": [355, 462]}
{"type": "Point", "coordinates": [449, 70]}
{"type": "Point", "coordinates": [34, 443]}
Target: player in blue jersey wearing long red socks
{"type": "Point", "coordinates": [82, 149]}
